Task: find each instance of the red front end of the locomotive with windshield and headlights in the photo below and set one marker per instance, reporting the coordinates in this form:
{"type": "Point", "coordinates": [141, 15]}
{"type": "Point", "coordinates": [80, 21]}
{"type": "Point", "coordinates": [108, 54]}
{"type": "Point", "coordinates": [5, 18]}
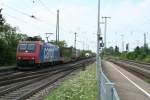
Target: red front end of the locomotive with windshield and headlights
{"type": "Point", "coordinates": [27, 54]}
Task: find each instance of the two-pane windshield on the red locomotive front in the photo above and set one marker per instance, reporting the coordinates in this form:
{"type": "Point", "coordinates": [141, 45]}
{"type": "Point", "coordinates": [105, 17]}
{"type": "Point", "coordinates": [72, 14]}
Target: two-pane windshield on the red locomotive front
{"type": "Point", "coordinates": [29, 47]}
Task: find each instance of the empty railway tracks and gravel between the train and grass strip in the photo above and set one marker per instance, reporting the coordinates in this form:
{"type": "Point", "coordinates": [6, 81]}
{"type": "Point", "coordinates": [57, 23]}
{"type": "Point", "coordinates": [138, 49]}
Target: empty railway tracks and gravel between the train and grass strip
{"type": "Point", "coordinates": [20, 88]}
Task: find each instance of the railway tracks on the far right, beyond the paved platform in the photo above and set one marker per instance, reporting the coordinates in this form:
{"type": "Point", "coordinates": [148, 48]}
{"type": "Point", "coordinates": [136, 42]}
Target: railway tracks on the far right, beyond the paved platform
{"type": "Point", "coordinates": [141, 70]}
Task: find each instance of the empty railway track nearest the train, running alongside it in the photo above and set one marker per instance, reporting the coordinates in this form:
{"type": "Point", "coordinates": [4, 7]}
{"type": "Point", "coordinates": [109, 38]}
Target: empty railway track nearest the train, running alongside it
{"type": "Point", "coordinates": [20, 76]}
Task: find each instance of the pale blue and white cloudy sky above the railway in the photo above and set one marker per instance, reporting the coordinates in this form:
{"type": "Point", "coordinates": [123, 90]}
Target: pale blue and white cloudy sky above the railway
{"type": "Point", "coordinates": [130, 19]}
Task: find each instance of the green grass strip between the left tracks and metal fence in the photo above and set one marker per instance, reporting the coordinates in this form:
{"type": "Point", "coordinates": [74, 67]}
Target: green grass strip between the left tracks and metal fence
{"type": "Point", "coordinates": [81, 86]}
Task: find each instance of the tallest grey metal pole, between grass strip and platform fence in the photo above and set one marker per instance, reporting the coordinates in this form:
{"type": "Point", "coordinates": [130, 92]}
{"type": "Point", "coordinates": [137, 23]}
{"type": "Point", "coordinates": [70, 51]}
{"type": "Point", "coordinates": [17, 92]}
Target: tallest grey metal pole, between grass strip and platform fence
{"type": "Point", "coordinates": [98, 71]}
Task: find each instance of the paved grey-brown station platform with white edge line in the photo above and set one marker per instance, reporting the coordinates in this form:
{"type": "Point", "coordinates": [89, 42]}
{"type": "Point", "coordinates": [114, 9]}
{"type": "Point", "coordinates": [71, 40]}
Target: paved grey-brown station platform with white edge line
{"type": "Point", "coordinates": [128, 86]}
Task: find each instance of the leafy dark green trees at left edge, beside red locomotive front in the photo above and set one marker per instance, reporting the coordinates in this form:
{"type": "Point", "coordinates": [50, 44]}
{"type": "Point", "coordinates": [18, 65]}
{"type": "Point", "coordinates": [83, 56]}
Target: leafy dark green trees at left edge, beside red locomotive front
{"type": "Point", "coordinates": [8, 42]}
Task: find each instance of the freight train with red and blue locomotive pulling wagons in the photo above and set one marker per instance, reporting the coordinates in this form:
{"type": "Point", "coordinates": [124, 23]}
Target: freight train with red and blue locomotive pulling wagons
{"type": "Point", "coordinates": [37, 53]}
